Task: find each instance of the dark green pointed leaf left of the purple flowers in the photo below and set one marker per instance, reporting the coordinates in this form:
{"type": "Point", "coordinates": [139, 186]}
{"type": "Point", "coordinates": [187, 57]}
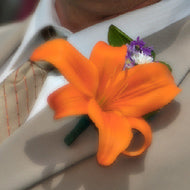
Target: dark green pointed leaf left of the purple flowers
{"type": "Point", "coordinates": [116, 37]}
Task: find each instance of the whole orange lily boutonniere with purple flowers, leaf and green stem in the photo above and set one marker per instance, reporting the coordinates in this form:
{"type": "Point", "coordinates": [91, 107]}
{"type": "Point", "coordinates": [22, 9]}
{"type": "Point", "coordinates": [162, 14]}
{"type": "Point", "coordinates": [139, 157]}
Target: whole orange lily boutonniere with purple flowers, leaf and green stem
{"type": "Point", "coordinates": [119, 86]}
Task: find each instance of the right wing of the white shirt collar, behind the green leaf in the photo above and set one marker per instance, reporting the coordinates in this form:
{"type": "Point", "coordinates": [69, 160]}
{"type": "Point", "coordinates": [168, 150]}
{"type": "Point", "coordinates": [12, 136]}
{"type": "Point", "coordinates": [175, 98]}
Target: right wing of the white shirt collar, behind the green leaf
{"type": "Point", "coordinates": [141, 22]}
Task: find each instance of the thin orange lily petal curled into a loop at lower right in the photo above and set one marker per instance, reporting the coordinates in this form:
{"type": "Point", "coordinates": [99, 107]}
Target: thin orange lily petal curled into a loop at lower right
{"type": "Point", "coordinates": [142, 126]}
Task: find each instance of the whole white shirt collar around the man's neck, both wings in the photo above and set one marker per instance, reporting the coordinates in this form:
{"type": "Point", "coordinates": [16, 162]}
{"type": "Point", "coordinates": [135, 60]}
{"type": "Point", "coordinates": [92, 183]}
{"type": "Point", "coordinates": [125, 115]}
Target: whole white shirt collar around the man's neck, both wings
{"type": "Point", "coordinates": [141, 22]}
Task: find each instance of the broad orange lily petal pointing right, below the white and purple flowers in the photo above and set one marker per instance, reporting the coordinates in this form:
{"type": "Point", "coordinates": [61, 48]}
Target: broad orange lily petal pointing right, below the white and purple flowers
{"type": "Point", "coordinates": [150, 87]}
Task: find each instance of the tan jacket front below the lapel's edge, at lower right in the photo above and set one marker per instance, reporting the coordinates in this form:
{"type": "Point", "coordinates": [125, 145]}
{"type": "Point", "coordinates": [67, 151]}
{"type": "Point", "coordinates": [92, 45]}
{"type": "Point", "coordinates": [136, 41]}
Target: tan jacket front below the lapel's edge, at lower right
{"type": "Point", "coordinates": [164, 167]}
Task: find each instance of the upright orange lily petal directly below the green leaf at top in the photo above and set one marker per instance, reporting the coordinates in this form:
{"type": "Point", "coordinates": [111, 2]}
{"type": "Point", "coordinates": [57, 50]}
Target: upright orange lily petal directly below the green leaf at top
{"type": "Point", "coordinates": [108, 60]}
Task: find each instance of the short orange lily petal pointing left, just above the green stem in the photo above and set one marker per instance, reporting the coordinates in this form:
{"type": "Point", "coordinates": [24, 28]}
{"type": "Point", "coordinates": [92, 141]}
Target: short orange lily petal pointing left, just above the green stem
{"type": "Point", "coordinates": [68, 101]}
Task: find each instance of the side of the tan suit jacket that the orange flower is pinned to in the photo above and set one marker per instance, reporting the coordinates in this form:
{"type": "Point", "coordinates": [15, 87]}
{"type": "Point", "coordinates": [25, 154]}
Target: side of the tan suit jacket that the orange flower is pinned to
{"type": "Point", "coordinates": [165, 166]}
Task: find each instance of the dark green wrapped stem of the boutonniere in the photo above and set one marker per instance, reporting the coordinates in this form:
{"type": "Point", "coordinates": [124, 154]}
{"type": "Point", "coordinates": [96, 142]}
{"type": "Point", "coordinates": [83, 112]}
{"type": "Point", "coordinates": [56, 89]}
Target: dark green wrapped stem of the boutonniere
{"type": "Point", "coordinates": [83, 123]}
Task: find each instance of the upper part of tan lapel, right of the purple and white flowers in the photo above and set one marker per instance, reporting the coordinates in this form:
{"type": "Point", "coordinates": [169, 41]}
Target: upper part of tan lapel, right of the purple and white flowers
{"type": "Point", "coordinates": [172, 45]}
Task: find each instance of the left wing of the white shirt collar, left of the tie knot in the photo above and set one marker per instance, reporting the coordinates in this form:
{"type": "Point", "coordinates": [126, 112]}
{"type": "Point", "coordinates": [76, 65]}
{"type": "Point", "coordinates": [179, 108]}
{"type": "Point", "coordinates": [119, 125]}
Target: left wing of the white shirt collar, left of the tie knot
{"type": "Point", "coordinates": [44, 15]}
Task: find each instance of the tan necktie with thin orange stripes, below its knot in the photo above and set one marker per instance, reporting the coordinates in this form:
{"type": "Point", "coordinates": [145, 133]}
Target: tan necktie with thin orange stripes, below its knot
{"type": "Point", "coordinates": [17, 96]}
